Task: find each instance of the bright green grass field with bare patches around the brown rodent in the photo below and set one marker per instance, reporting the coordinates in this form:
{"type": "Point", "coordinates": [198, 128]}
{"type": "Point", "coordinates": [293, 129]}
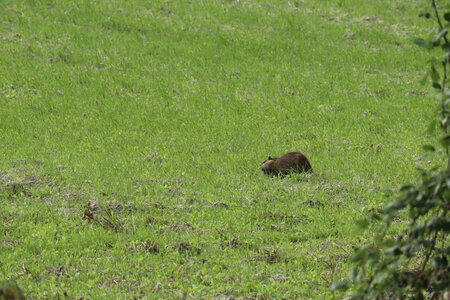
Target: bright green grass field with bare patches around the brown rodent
{"type": "Point", "coordinates": [152, 117]}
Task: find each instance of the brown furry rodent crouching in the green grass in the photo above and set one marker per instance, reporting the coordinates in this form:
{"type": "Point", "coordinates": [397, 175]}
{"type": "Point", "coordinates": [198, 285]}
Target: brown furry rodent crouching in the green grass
{"type": "Point", "coordinates": [290, 162]}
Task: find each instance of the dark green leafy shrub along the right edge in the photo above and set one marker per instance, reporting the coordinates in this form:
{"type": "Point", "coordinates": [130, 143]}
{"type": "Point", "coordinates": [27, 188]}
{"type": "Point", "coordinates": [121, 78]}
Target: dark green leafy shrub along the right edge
{"type": "Point", "coordinates": [414, 263]}
